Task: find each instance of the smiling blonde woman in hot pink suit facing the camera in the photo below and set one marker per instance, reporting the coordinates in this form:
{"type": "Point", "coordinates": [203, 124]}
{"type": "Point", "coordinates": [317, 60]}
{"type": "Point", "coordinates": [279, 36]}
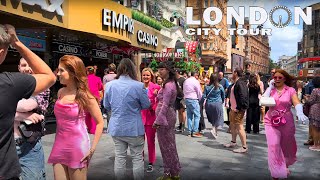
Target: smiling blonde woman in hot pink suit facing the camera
{"type": "Point", "coordinates": [149, 115]}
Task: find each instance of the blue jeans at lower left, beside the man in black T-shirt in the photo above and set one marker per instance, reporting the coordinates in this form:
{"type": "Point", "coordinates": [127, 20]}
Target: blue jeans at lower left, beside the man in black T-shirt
{"type": "Point", "coordinates": [31, 158]}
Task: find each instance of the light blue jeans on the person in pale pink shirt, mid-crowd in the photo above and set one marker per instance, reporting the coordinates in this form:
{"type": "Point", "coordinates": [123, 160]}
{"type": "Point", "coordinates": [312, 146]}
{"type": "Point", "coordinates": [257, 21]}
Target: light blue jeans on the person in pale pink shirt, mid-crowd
{"type": "Point", "coordinates": [193, 113]}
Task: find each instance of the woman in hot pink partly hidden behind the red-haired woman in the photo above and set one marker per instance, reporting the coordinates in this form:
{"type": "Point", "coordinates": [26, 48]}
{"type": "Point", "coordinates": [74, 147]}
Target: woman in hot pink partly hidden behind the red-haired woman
{"type": "Point", "coordinates": [95, 87]}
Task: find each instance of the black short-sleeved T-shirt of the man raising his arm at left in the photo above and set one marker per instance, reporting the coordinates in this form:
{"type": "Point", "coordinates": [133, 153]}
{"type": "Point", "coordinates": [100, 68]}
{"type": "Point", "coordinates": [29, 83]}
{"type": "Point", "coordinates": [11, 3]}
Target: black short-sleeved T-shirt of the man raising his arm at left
{"type": "Point", "coordinates": [13, 87]}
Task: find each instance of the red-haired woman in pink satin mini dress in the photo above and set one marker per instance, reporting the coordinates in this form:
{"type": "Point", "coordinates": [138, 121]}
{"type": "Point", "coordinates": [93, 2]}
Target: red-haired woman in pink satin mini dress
{"type": "Point", "coordinates": [71, 150]}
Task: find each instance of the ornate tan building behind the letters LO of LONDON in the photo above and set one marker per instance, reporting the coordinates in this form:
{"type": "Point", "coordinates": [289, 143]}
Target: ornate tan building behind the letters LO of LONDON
{"type": "Point", "coordinates": [214, 48]}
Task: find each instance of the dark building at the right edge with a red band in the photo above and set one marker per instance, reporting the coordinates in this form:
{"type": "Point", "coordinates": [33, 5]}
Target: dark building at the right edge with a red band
{"type": "Point", "coordinates": [309, 58]}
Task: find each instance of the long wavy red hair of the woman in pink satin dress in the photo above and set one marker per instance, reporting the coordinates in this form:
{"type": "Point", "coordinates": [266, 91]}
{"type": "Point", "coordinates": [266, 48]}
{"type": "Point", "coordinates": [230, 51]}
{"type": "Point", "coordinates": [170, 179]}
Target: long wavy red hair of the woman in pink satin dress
{"type": "Point", "coordinates": [77, 71]}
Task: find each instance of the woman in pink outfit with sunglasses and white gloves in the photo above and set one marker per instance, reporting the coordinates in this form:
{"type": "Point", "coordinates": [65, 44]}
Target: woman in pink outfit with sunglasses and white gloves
{"type": "Point", "coordinates": [279, 125]}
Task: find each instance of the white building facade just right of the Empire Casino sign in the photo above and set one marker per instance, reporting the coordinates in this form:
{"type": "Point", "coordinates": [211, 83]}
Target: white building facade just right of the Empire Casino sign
{"type": "Point", "coordinates": [170, 15]}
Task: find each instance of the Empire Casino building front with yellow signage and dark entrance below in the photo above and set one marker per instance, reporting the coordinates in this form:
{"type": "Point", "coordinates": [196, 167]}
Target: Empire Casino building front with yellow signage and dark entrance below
{"type": "Point", "coordinates": [98, 35]}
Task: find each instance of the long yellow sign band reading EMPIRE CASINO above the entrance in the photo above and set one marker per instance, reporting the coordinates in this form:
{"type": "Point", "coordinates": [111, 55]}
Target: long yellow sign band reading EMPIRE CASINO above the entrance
{"type": "Point", "coordinates": [104, 18]}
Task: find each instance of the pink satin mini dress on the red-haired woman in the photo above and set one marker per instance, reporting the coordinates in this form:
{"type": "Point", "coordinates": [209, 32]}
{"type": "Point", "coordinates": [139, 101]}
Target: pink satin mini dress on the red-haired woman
{"type": "Point", "coordinates": [72, 141]}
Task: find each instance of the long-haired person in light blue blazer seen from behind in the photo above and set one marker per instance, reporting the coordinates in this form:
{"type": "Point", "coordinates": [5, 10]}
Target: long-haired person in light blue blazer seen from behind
{"type": "Point", "coordinates": [126, 97]}
